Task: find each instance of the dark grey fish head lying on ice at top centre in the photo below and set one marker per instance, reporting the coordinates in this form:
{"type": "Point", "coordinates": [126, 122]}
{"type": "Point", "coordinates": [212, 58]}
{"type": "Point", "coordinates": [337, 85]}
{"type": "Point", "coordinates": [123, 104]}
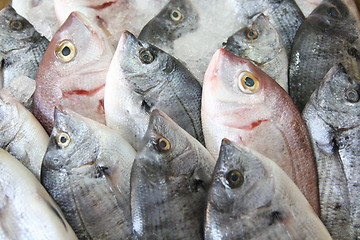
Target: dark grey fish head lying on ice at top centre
{"type": "Point", "coordinates": [174, 20]}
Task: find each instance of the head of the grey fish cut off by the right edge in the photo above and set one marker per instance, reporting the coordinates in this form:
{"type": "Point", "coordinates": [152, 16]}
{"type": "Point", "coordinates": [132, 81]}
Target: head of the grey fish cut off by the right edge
{"type": "Point", "coordinates": [338, 98]}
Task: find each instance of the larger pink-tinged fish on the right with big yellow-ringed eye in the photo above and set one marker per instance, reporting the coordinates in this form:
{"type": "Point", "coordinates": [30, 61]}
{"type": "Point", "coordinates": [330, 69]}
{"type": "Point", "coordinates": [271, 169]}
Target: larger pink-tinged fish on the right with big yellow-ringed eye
{"type": "Point", "coordinates": [242, 103]}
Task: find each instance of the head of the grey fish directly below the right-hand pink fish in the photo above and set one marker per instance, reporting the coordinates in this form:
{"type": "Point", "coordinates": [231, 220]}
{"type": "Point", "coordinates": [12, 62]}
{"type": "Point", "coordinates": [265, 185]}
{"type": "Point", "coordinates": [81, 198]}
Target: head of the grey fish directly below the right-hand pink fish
{"type": "Point", "coordinates": [241, 183]}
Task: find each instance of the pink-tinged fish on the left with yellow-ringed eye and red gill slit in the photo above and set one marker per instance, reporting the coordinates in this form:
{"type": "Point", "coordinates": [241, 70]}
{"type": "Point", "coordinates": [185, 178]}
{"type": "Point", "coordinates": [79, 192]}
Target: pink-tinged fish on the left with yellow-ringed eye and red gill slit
{"type": "Point", "coordinates": [72, 72]}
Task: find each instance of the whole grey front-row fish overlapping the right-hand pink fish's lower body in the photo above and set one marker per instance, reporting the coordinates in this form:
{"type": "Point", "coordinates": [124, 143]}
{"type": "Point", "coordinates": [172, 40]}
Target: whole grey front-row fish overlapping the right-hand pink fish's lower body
{"type": "Point", "coordinates": [252, 198]}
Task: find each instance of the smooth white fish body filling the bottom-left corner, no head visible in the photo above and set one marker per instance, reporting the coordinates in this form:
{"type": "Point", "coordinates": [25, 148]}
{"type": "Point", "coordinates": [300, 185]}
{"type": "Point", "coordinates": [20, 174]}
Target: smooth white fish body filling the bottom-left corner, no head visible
{"type": "Point", "coordinates": [27, 210]}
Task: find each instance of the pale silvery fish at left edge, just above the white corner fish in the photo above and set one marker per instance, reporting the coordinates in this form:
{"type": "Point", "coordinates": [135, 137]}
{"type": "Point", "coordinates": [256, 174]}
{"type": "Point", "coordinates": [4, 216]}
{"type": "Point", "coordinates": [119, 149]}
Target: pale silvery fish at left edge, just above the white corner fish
{"type": "Point", "coordinates": [21, 134]}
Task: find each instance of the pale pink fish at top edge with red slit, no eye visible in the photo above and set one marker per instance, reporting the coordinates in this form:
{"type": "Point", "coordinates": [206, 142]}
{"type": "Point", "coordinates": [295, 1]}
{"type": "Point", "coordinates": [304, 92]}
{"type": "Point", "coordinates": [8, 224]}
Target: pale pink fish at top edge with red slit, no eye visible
{"type": "Point", "coordinates": [114, 16]}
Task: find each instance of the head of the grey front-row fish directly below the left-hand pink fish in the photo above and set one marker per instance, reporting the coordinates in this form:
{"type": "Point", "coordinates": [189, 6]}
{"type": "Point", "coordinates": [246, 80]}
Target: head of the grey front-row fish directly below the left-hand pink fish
{"type": "Point", "coordinates": [68, 139]}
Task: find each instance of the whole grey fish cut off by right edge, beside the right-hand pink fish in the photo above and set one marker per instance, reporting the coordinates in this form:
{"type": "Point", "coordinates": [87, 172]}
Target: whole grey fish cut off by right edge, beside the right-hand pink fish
{"type": "Point", "coordinates": [332, 117]}
